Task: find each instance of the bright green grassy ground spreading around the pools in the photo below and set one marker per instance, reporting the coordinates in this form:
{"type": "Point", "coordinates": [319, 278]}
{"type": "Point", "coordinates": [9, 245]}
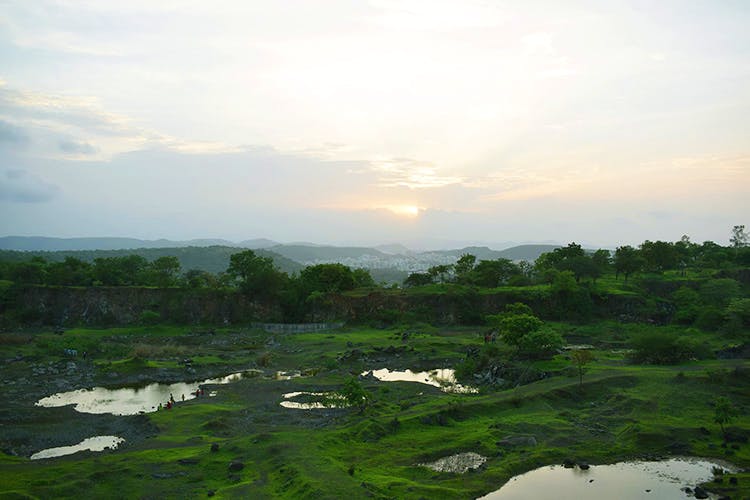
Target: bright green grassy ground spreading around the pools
{"type": "Point", "coordinates": [622, 411]}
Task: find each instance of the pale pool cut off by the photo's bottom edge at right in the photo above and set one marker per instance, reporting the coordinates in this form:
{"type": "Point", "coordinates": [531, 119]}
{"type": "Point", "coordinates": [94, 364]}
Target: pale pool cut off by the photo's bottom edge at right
{"type": "Point", "coordinates": [624, 481]}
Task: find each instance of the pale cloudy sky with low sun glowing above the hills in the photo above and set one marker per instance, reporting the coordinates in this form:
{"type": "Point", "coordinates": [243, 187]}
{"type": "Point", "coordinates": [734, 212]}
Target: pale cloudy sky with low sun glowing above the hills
{"type": "Point", "coordinates": [364, 122]}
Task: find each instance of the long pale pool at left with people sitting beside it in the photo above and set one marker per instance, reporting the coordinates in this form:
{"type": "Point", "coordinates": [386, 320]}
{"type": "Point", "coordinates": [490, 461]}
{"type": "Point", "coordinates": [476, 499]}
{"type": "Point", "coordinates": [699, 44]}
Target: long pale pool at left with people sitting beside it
{"type": "Point", "coordinates": [129, 400]}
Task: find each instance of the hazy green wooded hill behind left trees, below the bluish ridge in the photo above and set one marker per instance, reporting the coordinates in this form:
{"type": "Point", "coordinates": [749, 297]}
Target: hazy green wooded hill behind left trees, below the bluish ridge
{"type": "Point", "coordinates": [214, 259]}
